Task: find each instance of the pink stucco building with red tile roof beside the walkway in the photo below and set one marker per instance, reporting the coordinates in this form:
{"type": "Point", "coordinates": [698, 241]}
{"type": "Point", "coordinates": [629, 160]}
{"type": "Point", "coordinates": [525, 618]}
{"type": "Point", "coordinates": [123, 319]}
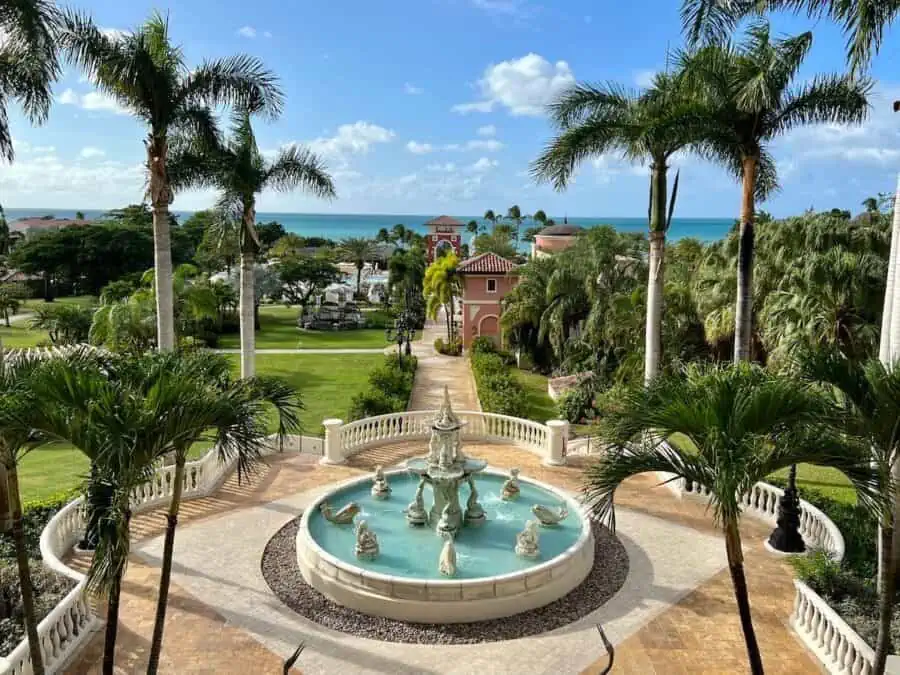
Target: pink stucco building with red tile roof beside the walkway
{"type": "Point", "coordinates": [486, 280]}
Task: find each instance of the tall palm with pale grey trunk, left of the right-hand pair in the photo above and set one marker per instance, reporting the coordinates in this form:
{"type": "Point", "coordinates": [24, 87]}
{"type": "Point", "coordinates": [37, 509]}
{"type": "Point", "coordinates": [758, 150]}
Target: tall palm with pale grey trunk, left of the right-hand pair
{"type": "Point", "coordinates": [647, 127]}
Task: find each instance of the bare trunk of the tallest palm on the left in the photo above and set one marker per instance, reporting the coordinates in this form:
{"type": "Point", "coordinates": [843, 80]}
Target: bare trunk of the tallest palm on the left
{"type": "Point", "coordinates": [160, 197]}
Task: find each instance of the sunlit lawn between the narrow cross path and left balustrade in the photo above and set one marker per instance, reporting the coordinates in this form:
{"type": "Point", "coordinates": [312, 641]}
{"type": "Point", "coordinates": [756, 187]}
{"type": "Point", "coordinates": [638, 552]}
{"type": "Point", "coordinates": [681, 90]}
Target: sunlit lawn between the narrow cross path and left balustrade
{"type": "Point", "coordinates": [326, 383]}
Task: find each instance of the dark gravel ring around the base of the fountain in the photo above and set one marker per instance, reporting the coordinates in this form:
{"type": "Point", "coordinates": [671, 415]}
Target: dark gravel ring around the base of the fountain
{"type": "Point", "coordinates": [280, 570]}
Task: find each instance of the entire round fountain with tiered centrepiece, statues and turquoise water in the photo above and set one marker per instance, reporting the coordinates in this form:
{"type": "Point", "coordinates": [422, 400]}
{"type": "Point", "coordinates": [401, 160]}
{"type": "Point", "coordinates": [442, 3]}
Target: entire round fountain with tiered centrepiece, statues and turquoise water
{"type": "Point", "coordinates": [439, 562]}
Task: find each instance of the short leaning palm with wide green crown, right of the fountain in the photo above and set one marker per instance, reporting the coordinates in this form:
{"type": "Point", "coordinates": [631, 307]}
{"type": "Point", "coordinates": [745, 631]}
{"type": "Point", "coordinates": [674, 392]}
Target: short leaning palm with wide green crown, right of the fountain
{"type": "Point", "coordinates": [743, 424]}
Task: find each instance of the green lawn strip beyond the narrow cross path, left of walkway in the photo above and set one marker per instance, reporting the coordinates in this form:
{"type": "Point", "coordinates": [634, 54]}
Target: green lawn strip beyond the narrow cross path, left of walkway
{"type": "Point", "coordinates": [278, 330]}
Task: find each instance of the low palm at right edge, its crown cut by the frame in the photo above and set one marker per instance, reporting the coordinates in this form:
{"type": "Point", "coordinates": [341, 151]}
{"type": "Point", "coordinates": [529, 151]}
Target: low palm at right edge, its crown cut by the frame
{"type": "Point", "coordinates": [869, 397]}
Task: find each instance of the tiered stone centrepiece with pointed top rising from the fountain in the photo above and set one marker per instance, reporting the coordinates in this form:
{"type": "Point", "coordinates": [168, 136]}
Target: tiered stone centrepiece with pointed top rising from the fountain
{"type": "Point", "coordinates": [445, 469]}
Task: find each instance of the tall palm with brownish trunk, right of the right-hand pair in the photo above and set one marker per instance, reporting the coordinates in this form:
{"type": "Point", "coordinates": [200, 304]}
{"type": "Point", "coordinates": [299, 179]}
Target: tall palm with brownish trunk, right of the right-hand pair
{"type": "Point", "coordinates": [750, 94]}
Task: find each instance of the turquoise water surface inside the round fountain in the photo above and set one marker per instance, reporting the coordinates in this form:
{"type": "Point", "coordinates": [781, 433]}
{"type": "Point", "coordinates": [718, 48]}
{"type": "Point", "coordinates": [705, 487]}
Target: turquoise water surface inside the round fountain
{"type": "Point", "coordinates": [483, 551]}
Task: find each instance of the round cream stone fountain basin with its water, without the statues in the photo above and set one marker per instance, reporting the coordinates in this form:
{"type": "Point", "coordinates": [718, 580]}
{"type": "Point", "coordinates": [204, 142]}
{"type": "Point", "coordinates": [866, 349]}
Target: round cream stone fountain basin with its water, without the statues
{"type": "Point", "coordinates": [404, 583]}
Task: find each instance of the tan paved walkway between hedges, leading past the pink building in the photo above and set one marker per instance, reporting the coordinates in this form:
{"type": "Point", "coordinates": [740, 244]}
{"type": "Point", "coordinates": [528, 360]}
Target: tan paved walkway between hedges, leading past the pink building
{"type": "Point", "coordinates": [436, 370]}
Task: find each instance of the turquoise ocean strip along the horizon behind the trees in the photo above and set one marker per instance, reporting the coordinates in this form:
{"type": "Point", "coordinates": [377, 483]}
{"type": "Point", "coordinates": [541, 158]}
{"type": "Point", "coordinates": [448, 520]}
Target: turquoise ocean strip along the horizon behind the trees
{"type": "Point", "coordinates": [338, 226]}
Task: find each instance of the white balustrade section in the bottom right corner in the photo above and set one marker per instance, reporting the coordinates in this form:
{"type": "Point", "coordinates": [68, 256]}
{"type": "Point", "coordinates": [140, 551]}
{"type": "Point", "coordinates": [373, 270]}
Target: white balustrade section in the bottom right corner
{"type": "Point", "coordinates": [840, 649]}
